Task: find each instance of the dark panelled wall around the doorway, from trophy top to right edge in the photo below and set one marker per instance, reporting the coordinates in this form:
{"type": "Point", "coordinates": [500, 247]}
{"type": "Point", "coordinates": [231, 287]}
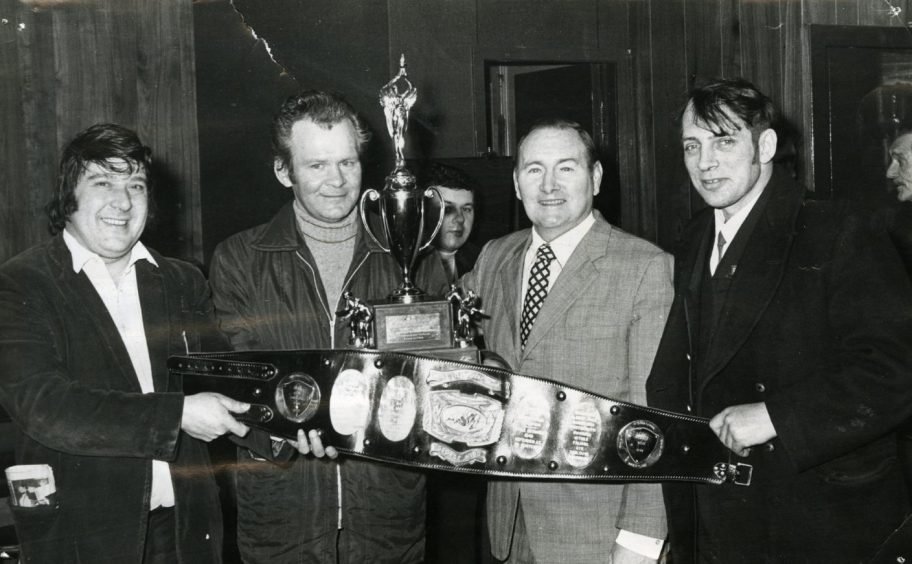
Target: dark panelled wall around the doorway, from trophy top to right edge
{"type": "Point", "coordinates": [662, 47]}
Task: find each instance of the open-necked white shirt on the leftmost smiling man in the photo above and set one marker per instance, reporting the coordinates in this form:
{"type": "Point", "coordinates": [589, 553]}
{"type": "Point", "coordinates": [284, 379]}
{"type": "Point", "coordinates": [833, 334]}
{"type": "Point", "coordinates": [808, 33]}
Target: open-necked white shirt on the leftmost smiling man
{"type": "Point", "coordinates": [121, 298]}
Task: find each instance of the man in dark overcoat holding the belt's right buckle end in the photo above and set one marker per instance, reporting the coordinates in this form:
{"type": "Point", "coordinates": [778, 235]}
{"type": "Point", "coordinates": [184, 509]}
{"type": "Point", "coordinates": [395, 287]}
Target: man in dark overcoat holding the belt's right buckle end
{"type": "Point", "coordinates": [790, 329]}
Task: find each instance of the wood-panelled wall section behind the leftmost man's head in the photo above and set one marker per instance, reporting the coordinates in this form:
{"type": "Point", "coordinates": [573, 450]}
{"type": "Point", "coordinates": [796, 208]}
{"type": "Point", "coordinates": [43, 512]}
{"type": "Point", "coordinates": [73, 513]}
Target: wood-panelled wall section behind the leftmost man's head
{"type": "Point", "coordinates": [67, 64]}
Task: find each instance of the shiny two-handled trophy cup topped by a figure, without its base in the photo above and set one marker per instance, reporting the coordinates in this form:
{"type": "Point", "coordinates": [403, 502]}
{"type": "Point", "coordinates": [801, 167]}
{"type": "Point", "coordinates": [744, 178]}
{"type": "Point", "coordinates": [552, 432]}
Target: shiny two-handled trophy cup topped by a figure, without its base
{"type": "Point", "coordinates": [403, 206]}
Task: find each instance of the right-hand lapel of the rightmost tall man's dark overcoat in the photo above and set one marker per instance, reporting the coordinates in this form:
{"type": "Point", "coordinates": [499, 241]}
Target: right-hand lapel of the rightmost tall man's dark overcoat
{"type": "Point", "coordinates": [759, 273]}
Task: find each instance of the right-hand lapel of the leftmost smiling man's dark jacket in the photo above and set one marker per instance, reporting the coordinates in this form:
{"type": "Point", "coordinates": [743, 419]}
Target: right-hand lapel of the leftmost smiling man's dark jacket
{"type": "Point", "coordinates": [153, 300]}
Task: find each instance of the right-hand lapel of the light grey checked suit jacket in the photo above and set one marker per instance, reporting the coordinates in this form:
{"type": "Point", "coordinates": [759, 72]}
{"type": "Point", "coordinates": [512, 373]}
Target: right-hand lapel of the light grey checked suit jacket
{"type": "Point", "coordinates": [577, 274]}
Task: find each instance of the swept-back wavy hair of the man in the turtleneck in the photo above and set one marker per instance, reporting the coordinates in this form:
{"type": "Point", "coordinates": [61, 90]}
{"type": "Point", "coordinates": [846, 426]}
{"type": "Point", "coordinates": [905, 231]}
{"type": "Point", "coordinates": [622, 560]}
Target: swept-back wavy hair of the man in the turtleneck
{"type": "Point", "coordinates": [323, 108]}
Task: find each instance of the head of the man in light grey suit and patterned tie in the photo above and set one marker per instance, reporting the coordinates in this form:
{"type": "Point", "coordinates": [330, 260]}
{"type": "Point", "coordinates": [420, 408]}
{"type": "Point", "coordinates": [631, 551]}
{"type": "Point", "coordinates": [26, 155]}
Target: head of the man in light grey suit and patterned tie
{"type": "Point", "coordinates": [554, 182]}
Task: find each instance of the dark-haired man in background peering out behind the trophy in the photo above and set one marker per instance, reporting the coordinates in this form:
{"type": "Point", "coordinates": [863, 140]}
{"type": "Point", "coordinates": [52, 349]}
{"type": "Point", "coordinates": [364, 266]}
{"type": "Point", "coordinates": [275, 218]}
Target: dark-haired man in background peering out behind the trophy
{"type": "Point", "coordinates": [452, 242]}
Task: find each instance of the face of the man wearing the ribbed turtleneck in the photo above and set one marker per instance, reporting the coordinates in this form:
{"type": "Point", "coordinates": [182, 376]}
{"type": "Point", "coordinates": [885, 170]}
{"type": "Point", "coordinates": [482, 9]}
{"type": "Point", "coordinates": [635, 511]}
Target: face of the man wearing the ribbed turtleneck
{"type": "Point", "coordinates": [325, 171]}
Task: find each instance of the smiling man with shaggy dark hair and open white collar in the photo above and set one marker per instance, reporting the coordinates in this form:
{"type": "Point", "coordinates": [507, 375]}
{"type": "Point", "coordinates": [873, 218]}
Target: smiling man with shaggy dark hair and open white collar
{"type": "Point", "coordinates": [87, 322]}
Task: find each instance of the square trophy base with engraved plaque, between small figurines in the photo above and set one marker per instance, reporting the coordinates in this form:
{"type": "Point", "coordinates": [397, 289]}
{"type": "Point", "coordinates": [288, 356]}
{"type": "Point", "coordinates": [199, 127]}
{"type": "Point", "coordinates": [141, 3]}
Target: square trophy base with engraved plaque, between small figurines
{"type": "Point", "coordinates": [417, 326]}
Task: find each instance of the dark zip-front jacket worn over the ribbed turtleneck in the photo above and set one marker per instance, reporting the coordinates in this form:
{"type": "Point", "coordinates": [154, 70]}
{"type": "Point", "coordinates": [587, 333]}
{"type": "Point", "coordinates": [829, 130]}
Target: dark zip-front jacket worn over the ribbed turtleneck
{"type": "Point", "coordinates": [269, 295]}
